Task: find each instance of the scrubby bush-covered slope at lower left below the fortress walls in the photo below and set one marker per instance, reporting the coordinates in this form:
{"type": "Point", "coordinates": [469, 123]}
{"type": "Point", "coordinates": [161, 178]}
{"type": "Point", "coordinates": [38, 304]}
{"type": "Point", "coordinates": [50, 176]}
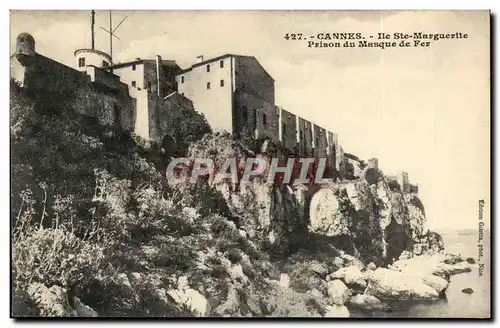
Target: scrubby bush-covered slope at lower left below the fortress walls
{"type": "Point", "coordinates": [94, 223]}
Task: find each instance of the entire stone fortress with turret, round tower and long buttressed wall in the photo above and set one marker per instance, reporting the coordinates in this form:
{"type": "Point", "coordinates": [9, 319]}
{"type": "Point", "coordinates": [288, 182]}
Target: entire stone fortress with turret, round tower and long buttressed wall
{"type": "Point", "coordinates": [235, 93]}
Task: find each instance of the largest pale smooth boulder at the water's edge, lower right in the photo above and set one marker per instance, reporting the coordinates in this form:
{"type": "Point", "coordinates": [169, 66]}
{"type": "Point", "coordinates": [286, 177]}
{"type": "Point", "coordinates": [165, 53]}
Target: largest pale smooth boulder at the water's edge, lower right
{"type": "Point", "coordinates": [388, 284]}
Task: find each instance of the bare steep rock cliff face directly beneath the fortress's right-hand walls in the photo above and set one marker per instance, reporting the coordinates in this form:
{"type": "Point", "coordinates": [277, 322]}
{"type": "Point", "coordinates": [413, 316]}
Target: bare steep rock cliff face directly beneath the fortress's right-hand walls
{"type": "Point", "coordinates": [373, 221]}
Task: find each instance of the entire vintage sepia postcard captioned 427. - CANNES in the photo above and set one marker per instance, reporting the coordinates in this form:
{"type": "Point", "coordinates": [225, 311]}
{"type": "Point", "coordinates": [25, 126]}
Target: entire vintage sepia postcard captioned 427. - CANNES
{"type": "Point", "coordinates": [252, 164]}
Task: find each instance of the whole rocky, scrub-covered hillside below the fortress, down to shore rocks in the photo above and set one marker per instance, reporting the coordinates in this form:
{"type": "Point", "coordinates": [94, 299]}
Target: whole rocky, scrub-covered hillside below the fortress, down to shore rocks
{"type": "Point", "coordinates": [97, 231]}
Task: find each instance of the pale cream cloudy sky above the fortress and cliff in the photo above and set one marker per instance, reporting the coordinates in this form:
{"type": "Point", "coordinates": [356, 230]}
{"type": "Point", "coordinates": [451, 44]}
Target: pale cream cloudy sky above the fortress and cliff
{"type": "Point", "coordinates": [421, 110]}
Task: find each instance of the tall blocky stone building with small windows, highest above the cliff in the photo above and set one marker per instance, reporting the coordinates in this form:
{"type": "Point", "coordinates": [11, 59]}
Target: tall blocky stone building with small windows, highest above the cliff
{"type": "Point", "coordinates": [235, 93]}
